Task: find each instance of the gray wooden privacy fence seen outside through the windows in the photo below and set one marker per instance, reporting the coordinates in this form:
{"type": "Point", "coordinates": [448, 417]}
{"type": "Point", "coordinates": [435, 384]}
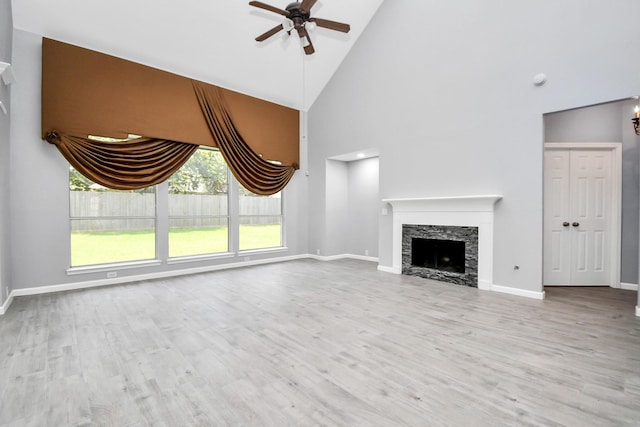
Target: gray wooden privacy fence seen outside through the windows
{"type": "Point", "coordinates": [113, 211]}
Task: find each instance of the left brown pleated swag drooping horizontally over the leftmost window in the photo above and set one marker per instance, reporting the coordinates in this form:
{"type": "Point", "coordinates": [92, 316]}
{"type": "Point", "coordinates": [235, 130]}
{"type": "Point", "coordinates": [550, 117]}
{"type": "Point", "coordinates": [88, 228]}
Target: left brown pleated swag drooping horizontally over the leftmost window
{"type": "Point", "coordinates": [128, 165]}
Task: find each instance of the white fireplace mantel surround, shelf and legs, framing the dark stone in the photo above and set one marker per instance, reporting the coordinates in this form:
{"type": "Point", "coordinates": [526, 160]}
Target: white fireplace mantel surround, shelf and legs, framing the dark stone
{"type": "Point", "coordinates": [469, 211]}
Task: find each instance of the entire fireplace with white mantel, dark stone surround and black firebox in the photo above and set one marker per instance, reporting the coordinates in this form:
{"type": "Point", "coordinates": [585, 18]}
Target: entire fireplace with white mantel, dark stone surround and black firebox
{"type": "Point", "coordinates": [446, 218]}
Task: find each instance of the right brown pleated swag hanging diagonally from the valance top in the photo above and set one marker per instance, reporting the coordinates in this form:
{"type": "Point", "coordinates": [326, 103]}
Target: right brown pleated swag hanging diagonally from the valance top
{"type": "Point", "coordinates": [251, 170]}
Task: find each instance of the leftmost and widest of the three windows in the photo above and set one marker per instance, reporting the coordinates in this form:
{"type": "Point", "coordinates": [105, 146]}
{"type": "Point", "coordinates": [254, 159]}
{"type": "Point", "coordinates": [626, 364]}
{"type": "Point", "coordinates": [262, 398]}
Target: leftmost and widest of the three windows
{"type": "Point", "coordinates": [109, 226]}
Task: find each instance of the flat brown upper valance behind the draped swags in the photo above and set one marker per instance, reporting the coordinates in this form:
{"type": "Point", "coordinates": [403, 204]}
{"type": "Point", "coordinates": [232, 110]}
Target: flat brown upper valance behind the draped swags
{"type": "Point", "coordinates": [89, 93]}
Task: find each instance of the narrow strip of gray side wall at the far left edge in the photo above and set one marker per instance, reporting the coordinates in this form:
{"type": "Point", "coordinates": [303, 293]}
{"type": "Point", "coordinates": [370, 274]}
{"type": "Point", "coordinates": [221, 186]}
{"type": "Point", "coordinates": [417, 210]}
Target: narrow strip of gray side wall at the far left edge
{"type": "Point", "coordinates": [6, 31]}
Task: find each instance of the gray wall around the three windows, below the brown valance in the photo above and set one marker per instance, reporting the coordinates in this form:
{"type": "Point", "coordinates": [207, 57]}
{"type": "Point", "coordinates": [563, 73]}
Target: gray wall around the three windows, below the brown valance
{"type": "Point", "coordinates": [39, 233]}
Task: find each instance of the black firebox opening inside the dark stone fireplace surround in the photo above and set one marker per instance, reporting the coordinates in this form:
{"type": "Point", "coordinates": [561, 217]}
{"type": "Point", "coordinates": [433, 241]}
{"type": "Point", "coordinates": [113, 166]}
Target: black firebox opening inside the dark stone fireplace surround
{"type": "Point", "coordinates": [443, 255]}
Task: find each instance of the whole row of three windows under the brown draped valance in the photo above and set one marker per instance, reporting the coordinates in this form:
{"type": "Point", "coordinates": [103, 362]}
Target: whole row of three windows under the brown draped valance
{"type": "Point", "coordinates": [194, 210]}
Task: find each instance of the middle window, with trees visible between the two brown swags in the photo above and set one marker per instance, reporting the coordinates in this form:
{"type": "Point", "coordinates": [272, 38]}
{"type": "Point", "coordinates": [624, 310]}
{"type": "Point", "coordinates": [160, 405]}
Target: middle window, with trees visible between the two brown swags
{"type": "Point", "coordinates": [198, 206]}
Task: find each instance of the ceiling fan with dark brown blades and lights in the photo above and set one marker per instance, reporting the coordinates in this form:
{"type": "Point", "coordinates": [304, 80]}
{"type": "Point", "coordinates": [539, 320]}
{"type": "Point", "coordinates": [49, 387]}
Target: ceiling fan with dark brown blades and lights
{"type": "Point", "coordinates": [298, 16]}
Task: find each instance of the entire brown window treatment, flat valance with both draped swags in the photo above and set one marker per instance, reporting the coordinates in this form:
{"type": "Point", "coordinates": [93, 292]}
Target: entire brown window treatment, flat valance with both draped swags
{"type": "Point", "coordinates": [112, 97]}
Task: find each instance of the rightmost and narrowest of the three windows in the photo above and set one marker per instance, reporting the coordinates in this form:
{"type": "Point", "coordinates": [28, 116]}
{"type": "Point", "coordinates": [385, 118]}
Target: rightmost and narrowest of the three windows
{"type": "Point", "coordinates": [260, 220]}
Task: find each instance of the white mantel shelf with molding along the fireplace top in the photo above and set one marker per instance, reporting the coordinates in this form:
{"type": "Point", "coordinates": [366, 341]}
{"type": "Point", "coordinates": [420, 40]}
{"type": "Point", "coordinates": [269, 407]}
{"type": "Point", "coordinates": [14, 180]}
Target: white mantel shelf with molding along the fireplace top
{"type": "Point", "coordinates": [480, 203]}
